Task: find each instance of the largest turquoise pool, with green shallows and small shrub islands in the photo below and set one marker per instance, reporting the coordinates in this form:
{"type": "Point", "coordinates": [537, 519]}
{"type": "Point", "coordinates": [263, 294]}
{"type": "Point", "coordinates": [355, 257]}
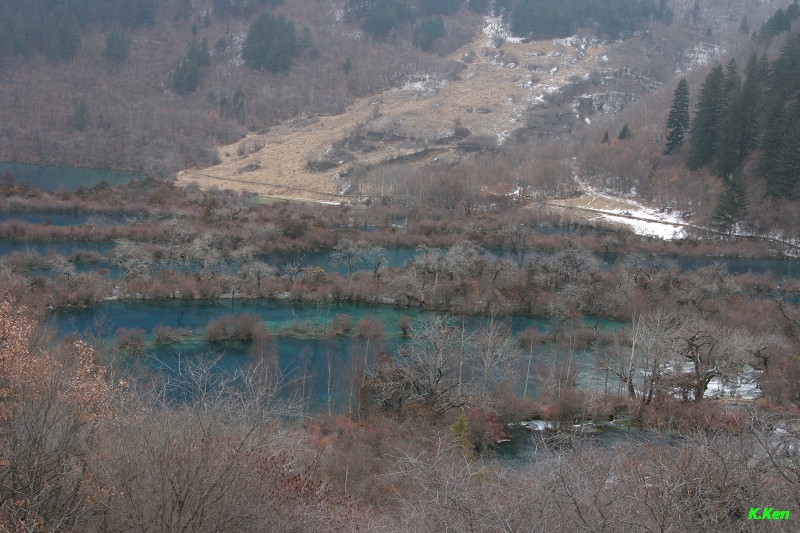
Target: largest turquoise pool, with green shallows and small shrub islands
{"type": "Point", "coordinates": [297, 334]}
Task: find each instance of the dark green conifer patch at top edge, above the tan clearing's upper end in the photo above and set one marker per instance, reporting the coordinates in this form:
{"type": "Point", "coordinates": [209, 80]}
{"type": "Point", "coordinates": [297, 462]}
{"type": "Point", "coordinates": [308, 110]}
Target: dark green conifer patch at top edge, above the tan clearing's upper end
{"type": "Point", "coordinates": [543, 19]}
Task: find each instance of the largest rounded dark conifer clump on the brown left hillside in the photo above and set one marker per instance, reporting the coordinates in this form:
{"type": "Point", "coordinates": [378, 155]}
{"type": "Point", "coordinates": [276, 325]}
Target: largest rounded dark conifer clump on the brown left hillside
{"type": "Point", "coordinates": [270, 44]}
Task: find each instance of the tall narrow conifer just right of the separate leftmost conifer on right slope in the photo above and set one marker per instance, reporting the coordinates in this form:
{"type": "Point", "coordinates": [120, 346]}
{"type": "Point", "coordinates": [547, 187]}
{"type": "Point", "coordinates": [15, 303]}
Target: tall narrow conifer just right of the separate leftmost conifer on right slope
{"type": "Point", "coordinates": [705, 127]}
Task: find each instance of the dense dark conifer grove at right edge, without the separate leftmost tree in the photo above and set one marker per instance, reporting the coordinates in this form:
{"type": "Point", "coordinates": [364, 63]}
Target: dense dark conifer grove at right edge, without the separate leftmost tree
{"type": "Point", "coordinates": [735, 115]}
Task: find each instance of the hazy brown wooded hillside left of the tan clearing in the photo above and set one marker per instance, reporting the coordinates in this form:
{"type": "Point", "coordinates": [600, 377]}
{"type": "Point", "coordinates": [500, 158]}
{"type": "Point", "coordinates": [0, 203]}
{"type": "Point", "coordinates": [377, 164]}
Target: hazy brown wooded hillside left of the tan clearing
{"type": "Point", "coordinates": [156, 86]}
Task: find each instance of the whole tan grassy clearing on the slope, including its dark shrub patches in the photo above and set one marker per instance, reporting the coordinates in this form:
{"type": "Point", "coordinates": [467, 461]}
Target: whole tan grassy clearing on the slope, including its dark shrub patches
{"type": "Point", "coordinates": [496, 92]}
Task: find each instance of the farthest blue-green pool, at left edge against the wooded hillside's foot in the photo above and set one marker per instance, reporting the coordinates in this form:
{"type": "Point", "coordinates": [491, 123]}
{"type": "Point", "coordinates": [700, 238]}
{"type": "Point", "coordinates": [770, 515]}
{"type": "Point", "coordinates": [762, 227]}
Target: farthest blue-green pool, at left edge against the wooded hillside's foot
{"type": "Point", "coordinates": [62, 178]}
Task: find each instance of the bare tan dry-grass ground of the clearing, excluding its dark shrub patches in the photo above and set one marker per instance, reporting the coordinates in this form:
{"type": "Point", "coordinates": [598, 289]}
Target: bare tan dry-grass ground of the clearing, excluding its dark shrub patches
{"type": "Point", "coordinates": [491, 98]}
